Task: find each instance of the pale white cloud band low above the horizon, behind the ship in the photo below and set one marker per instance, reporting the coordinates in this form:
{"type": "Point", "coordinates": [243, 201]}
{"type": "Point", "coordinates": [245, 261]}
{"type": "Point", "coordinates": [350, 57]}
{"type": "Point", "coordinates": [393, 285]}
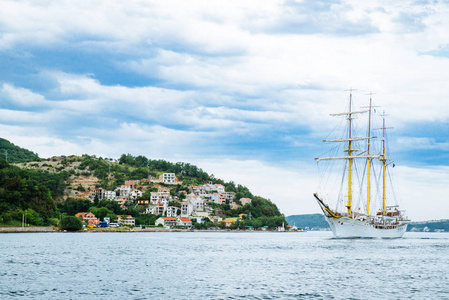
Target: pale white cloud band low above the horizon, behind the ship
{"type": "Point", "coordinates": [422, 191]}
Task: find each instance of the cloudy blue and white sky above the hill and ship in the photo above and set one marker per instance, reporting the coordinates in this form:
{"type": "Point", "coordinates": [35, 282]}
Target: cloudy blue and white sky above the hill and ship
{"type": "Point", "coordinates": [242, 89]}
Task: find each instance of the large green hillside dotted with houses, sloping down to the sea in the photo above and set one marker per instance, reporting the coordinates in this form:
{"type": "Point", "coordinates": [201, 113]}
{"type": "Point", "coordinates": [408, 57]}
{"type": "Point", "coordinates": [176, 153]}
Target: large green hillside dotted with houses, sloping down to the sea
{"type": "Point", "coordinates": [71, 184]}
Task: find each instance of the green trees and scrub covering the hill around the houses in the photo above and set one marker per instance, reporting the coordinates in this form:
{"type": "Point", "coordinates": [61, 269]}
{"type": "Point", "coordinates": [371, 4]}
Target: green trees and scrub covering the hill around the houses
{"type": "Point", "coordinates": [44, 191]}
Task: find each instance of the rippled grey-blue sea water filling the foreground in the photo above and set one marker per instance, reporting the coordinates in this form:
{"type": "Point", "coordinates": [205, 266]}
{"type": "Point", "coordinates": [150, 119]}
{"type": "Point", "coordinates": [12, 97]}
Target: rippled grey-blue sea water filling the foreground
{"type": "Point", "coordinates": [222, 265]}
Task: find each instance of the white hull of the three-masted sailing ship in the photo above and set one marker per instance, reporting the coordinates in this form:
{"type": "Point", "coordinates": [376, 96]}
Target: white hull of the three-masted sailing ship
{"type": "Point", "coordinates": [349, 228]}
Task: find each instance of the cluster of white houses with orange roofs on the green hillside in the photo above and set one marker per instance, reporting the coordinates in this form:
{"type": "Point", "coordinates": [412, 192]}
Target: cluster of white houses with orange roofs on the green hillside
{"type": "Point", "coordinates": [194, 206]}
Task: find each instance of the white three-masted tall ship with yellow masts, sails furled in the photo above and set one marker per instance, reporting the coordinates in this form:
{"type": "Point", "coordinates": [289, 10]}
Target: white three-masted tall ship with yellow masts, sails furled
{"type": "Point", "coordinates": [357, 193]}
